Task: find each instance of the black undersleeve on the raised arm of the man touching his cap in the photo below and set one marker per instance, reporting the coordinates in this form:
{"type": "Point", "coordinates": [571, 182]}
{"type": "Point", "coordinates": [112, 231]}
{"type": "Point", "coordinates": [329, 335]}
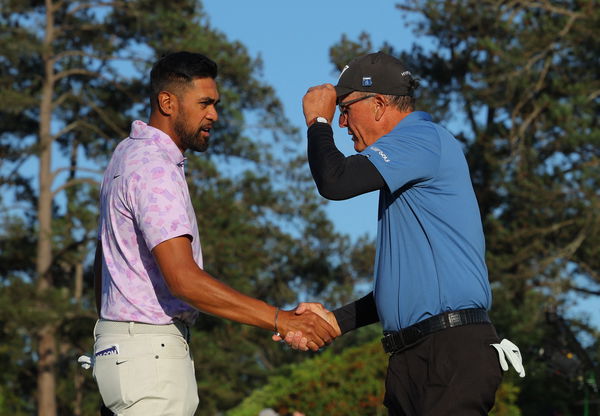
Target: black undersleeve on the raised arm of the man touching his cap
{"type": "Point", "coordinates": [338, 177]}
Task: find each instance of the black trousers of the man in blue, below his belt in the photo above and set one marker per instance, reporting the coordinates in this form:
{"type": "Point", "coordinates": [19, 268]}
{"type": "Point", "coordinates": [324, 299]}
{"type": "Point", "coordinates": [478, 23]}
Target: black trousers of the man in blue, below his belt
{"type": "Point", "coordinates": [451, 372]}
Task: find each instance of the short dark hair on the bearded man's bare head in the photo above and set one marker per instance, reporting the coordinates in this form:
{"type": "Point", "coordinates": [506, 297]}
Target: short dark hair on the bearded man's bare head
{"type": "Point", "coordinates": [175, 71]}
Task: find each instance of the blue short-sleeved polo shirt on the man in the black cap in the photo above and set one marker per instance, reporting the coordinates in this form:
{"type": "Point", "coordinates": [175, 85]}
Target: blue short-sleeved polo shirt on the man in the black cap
{"type": "Point", "coordinates": [430, 246]}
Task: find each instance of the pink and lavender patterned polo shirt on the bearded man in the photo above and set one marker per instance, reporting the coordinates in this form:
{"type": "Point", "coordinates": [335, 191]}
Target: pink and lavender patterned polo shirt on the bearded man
{"type": "Point", "coordinates": [144, 200]}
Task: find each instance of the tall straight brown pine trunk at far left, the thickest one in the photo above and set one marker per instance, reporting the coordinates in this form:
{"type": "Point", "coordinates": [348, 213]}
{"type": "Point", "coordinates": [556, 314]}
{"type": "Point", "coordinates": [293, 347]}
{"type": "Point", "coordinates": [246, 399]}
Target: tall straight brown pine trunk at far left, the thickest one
{"type": "Point", "coordinates": [46, 379]}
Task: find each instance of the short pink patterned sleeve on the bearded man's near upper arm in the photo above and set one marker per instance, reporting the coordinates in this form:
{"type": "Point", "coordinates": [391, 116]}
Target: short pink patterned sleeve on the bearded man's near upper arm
{"type": "Point", "coordinates": [158, 204]}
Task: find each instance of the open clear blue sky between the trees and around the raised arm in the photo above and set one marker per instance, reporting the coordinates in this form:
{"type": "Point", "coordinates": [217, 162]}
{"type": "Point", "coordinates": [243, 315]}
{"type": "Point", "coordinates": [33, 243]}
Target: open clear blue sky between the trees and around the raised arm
{"type": "Point", "coordinates": [293, 39]}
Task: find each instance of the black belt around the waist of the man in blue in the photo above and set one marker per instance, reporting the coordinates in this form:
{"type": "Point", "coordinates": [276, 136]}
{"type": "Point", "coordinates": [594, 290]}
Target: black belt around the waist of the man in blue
{"type": "Point", "coordinates": [398, 340]}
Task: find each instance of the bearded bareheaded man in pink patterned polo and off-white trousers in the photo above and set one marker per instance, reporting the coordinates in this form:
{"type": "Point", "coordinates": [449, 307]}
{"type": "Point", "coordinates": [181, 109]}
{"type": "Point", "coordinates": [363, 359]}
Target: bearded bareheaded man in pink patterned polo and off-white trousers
{"type": "Point", "coordinates": [148, 267]}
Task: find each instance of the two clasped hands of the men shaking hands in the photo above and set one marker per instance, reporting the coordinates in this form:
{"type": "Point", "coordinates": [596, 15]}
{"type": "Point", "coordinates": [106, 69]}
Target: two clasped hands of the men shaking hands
{"type": "Point", "coordinates": [309, 326]}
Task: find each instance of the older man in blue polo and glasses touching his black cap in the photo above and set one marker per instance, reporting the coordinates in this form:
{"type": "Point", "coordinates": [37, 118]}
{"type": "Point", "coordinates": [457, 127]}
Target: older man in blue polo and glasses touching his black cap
{"type": "Point", "coordinates": [431, 291]}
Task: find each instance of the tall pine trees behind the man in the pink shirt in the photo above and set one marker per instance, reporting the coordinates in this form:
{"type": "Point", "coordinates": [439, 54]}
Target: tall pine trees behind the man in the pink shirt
{"type": "Point", "coordinates": [73, 76]}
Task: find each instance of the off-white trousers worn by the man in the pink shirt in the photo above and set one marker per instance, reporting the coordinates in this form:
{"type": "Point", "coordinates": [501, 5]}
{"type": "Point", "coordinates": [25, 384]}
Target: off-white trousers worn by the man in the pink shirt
{"type": "Point", "coordinates": [144, 369]}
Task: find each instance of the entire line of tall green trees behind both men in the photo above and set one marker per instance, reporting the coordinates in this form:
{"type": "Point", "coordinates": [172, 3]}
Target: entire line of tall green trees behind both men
{"type": "Point", "coordinates": [514, 80]}
